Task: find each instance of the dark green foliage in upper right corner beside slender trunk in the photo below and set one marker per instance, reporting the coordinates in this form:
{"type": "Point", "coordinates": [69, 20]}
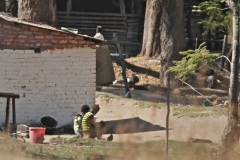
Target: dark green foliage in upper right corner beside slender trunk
{"type": "Point", "coordinates": [216, 18]}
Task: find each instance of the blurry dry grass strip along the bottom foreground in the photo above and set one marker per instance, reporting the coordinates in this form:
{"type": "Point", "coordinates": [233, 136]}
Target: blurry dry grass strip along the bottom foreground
{"type": "Point", "coordinates": [88, 149]}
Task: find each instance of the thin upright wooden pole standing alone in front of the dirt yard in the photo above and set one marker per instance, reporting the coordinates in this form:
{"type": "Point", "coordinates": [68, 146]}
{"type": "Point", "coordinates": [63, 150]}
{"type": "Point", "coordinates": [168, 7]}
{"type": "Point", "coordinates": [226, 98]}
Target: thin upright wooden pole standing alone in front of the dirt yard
{"type": "Point", "coordinates": [168, 112]}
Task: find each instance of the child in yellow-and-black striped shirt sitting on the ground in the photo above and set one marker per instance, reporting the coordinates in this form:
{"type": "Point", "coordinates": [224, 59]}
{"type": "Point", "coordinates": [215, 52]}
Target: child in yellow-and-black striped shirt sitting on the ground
{"type": "Point", "coordinates": [90, 128]}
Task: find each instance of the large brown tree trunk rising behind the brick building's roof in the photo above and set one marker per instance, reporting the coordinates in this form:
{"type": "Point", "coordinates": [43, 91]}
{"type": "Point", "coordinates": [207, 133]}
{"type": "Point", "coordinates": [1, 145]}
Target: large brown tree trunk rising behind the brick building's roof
{"type": "Point", "coordinates": [38, 10]}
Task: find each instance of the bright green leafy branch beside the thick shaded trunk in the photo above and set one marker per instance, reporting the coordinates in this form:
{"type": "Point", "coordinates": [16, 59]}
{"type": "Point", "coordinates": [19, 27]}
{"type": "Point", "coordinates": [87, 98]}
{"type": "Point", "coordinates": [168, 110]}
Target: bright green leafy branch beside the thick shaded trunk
{"type": "Point", "coordinates": [185, 68]}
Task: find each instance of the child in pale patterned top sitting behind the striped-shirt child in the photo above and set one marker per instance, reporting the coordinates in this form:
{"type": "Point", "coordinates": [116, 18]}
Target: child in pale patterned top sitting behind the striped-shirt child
{"type": "Point", "coordinates": [77, 126]}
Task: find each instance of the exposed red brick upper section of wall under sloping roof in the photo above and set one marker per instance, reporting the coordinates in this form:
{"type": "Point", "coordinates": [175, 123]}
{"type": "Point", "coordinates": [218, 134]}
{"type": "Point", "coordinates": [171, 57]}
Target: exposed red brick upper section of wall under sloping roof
{"type": "Point", "coordinates": [21, 36]}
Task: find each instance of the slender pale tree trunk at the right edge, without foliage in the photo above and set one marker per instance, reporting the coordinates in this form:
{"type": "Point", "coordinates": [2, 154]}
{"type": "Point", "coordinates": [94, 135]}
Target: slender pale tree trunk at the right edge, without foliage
{"type": "Point", "coordinates": [230, 137]}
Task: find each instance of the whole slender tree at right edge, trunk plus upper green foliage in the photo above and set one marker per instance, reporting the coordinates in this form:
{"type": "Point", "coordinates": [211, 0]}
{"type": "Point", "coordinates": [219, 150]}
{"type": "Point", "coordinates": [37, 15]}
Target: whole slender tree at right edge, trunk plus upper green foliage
{"type": "Point", "coordinates": [216, 20]}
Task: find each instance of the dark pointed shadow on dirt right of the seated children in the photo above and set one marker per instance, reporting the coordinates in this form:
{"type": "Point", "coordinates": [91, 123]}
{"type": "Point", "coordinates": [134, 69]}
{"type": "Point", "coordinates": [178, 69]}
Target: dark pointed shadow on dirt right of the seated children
{"type": "Point", "coordinates": [130, 125]}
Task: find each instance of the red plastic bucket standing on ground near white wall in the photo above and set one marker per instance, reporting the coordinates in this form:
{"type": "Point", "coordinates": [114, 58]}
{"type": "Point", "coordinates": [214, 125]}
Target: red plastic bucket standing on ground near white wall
{"type": "Point", "coordinates": [36, 134]}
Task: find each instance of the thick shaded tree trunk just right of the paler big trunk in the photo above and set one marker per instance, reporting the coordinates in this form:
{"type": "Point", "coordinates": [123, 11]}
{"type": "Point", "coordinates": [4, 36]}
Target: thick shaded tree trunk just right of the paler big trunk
{"type": "Point", "coordinates": [172, 35]}
